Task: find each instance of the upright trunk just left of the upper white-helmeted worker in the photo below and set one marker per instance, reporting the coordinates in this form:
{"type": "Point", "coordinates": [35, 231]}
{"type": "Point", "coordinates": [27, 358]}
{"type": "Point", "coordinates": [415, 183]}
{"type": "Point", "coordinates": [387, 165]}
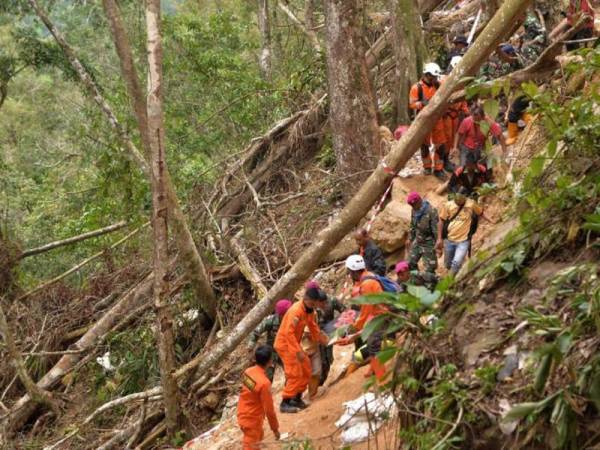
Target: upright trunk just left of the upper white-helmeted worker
{"type": "Point", "coordinates": [407, 45]}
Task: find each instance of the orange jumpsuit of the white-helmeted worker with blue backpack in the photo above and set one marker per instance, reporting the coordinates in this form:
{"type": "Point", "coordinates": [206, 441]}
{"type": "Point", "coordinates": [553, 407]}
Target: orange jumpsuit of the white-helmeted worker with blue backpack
{"type": "Point", "coordinates": [368, 312]}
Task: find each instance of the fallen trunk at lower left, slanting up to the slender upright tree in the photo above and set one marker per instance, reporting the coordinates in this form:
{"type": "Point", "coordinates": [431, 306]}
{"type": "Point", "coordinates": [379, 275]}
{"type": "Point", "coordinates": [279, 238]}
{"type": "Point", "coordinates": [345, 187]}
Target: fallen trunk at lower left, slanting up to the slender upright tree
{"type": "Point", "coordinates": [25, 407]}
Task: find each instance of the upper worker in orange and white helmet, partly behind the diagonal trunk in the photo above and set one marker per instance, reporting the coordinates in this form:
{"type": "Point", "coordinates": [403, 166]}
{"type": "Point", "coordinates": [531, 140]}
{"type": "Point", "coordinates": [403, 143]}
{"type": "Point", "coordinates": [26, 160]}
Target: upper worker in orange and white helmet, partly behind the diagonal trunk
{"type": "Point", "coordinates": [420, 95]}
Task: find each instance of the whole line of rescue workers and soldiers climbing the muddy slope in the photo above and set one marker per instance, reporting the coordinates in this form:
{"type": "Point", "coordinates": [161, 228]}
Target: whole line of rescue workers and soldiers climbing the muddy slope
{"type": "Point", "coordinates": [298, 333]}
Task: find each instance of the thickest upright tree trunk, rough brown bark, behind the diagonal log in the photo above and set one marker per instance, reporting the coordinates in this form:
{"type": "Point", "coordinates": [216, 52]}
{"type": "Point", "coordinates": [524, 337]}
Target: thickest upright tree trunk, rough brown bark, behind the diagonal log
{"type": "Point", "coordinates": [353, 115]}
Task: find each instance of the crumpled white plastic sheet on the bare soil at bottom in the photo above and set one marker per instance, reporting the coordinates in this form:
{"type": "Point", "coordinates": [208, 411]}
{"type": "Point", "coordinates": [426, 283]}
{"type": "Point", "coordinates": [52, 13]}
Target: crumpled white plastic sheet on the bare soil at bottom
{"type": "Point", "coordinates": [363, 416]}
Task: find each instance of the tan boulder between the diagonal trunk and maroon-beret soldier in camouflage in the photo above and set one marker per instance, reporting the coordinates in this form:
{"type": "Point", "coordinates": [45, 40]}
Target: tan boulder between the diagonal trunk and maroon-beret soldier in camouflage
{"type": "Point", "coordinates": [390, 228]}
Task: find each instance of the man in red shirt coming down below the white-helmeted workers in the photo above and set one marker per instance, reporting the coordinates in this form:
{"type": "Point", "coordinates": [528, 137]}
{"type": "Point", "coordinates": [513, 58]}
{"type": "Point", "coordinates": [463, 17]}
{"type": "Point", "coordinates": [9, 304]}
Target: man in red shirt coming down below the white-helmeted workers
{"type": "Point", "coordinates": [470, 139]}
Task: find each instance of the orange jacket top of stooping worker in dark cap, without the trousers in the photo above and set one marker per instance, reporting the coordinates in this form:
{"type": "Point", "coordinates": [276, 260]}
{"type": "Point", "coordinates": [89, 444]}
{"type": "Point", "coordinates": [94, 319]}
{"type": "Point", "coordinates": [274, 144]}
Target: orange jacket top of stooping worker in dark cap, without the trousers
{"type": "Point", "coordinates": [292, 327]}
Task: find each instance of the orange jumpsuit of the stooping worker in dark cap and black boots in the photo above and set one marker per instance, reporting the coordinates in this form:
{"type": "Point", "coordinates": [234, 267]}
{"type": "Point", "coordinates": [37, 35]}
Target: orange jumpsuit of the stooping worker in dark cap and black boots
{"type": "Point", "coordinates": [287, 346]}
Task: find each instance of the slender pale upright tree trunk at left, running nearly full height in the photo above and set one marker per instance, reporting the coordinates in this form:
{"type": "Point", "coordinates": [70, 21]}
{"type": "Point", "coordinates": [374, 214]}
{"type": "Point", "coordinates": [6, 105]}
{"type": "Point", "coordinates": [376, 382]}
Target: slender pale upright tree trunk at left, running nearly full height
{"type": "Point", "coordinates": [164, 314]}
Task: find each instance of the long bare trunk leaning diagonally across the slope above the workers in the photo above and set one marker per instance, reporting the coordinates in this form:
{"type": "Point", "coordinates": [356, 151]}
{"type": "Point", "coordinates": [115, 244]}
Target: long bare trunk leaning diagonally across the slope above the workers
{"type": "Point", "coordinates": [369, 192]}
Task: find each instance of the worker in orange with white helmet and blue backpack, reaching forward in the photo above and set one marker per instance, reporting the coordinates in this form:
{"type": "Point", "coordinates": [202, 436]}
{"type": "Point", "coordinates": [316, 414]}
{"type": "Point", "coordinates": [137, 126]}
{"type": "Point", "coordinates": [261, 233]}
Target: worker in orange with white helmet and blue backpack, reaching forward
{"type": "Point", "coordinates": [365, 283]}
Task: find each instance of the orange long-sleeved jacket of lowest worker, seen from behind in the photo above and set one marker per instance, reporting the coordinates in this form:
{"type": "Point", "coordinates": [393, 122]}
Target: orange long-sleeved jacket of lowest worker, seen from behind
{"type": "Point", "coordinates": [256, 400]}
